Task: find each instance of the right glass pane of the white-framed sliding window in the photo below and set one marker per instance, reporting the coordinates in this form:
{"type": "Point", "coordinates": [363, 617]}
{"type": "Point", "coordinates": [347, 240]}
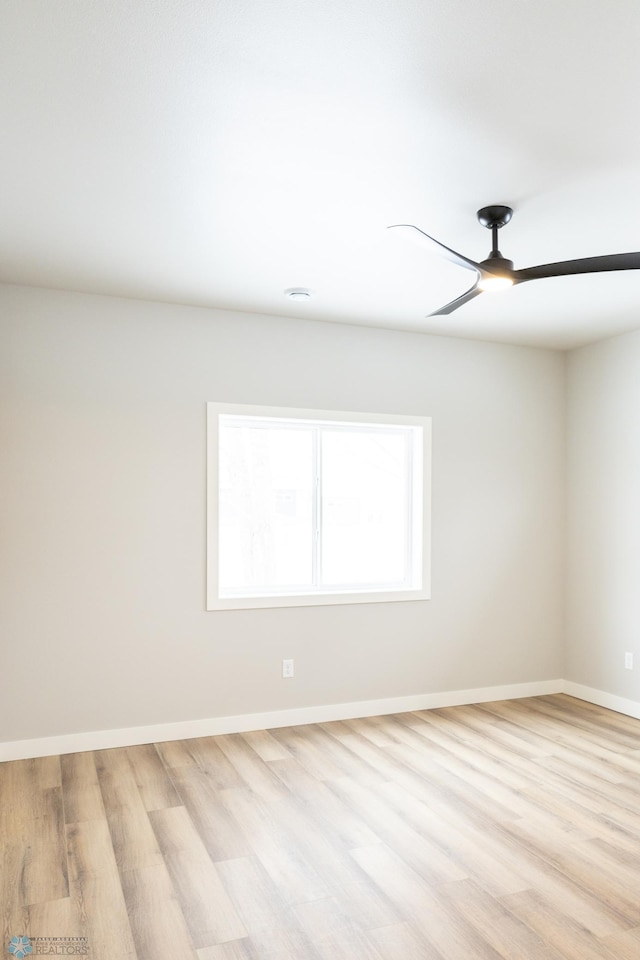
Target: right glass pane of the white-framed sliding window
{"type": "Point", "coordinates": [364, 508]}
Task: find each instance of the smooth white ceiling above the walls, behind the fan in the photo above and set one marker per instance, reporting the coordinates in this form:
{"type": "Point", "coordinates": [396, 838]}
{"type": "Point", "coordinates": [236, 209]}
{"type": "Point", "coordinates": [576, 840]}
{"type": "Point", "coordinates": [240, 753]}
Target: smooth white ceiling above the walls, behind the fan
{"type": "Point", "coordinates": [216, 152]}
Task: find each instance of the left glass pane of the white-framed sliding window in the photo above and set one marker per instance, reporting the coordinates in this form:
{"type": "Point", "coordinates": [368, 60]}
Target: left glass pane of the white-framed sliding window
{"type": "Point", "coordinates": [265, 508]}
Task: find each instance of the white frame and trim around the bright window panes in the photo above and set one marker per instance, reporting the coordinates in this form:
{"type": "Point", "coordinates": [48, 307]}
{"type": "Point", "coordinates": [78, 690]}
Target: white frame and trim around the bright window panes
{"type": "Point", "coordinates": [421, 499]}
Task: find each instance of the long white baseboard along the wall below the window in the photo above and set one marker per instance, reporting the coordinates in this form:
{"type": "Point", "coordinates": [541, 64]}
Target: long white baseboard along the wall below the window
{"type": "Point", "coordinates": [186, 729]}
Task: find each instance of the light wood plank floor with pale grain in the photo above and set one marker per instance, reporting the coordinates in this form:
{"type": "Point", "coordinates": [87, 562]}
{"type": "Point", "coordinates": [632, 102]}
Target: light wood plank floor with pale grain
{"type": "Point", "coordinates": [505, 830]}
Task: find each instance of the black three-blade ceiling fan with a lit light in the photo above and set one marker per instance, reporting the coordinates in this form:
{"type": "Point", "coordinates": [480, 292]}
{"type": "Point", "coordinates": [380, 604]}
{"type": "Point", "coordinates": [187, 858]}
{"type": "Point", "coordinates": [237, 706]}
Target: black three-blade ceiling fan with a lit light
{"type": "Point", "coordinates": [496, 272]}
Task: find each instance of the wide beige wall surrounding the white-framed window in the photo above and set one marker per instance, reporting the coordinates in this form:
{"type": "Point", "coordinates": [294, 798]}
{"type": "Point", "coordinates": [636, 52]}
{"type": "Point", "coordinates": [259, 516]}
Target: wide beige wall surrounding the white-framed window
{"type": "Point", "coordinates": [102, 543]}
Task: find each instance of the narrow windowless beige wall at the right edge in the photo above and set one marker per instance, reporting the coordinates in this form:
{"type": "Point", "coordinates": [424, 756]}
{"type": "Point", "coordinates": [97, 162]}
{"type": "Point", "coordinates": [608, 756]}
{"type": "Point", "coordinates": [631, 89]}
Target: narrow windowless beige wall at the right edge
{"type": "Point", "coordinates": [603, 607]}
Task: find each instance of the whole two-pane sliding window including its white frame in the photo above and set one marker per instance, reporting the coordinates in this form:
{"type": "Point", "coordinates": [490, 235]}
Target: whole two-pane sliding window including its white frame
{"type": "Point", "coordinates": [313, 507]}
